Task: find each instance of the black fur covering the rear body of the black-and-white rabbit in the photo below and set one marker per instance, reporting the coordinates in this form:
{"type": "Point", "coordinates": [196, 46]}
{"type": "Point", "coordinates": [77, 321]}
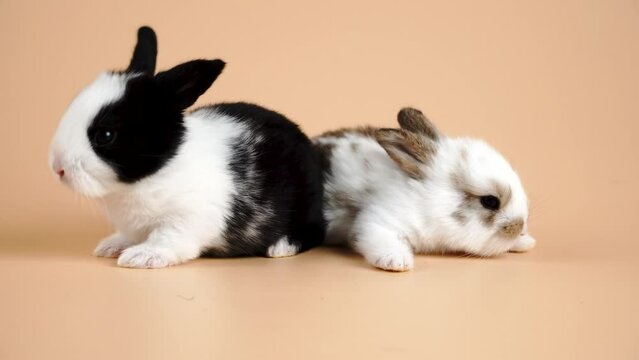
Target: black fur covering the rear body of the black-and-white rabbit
{"type": "Point", "coordinates": [283, 191]}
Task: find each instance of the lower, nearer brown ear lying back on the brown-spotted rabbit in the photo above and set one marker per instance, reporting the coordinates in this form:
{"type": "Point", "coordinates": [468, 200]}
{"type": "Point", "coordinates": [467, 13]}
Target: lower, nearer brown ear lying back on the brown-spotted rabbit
{"type": "Point", "coordinates": [407, 149]}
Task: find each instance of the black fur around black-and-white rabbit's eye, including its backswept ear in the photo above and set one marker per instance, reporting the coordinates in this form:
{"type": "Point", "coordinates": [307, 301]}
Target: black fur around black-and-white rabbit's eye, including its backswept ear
{"type": "Point", "coordinates": [147, 121]}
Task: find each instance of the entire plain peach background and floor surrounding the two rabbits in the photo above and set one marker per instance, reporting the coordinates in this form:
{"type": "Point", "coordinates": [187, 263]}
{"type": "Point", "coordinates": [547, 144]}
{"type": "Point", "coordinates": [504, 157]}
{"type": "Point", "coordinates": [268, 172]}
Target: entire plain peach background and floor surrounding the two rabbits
{"type": "Point", "coordinates": [553, 84]}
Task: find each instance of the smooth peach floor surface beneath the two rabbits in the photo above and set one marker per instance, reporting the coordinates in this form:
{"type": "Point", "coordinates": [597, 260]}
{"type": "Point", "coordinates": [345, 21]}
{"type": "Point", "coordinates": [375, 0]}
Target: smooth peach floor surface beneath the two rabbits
{"type": "Point", "coordinates": [553, 303]}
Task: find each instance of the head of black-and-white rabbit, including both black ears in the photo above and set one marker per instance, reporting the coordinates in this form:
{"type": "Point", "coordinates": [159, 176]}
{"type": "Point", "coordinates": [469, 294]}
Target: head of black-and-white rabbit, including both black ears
{"type": "Point", "coordinates": [127, 124]}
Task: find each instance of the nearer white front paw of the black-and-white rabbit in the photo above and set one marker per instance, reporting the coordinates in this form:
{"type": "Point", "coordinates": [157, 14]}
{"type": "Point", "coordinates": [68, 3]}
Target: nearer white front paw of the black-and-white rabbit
{"type": "Point", "coordinates": [145, 256]}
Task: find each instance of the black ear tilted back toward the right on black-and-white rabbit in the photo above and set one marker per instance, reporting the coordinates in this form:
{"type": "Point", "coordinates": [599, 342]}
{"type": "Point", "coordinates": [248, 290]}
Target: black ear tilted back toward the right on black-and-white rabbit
{"type": "Point", "coordinates": [182, 85]}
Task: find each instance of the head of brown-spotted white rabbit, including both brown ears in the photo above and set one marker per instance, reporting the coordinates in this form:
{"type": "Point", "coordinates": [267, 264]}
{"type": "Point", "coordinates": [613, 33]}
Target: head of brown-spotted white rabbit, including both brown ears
{"type": "Point", "coordinates": [473, 200]}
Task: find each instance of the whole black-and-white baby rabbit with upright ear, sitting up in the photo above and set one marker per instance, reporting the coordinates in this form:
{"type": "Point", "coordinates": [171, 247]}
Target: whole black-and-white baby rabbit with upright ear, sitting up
{"type": "Point", "coordinates": [230, 179]}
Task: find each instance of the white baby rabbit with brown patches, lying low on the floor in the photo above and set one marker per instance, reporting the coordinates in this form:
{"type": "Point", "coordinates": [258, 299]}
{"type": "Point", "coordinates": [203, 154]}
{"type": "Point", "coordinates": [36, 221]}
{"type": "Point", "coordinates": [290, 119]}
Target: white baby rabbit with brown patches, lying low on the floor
{"type": "Point", "coordinates": [390, 193]}
